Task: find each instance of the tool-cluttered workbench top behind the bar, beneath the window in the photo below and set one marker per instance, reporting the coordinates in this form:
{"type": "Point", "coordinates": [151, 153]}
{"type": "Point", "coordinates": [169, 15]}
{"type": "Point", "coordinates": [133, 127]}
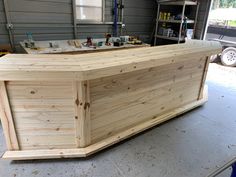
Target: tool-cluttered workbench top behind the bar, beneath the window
{"type": "Point", "coordinates": [65, 48]}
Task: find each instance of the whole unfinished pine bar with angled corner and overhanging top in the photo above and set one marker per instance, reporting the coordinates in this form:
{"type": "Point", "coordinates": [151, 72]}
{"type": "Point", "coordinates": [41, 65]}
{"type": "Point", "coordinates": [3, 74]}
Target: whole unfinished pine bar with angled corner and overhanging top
{"type": "Point", "coordinates": [63, 106]}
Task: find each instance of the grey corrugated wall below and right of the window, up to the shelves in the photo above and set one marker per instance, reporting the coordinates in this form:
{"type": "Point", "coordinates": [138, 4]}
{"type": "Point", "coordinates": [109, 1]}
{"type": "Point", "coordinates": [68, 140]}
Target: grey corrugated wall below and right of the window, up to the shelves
{"type": "Point", "coordinates": [138, 17]}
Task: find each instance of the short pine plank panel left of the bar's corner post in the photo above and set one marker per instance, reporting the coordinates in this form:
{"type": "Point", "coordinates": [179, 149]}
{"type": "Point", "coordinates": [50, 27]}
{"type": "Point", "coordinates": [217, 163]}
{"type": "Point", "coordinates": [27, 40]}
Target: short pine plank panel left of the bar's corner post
{"type": "Point", "coordinates": [43, 114]}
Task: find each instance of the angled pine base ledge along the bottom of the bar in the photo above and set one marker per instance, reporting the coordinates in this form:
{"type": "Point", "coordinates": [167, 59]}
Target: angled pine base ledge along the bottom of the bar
{"type": "Point", "coordinates": [83, 152]}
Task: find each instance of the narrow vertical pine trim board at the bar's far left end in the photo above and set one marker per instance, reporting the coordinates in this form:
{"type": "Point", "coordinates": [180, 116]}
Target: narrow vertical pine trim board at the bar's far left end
{"type": "Point", "coordinates": [7, 119]}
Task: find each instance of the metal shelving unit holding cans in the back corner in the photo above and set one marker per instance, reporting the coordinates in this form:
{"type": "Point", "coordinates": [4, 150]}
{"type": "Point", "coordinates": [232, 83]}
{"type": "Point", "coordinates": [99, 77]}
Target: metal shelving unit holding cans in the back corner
{"type": "Point", "coordinates": [180, 38]}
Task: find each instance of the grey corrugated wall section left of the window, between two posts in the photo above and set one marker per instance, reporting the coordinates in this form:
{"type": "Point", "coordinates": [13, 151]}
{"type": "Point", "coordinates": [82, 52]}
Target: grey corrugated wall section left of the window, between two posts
{"type": "Point", "coordinates": [46, 19]}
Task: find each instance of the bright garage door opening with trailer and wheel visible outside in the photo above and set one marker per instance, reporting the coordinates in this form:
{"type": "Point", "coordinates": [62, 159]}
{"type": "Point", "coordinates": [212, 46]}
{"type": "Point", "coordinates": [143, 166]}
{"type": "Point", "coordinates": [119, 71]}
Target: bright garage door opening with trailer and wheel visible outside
{"type": "Point", "coordinates": [222, 27]}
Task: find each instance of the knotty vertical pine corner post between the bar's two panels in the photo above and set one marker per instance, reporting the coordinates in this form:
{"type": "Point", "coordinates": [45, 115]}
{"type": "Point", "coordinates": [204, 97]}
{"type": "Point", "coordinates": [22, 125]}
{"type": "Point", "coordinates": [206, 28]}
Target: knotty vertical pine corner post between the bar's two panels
{"type": "Point", "coordinates": [82, 113]}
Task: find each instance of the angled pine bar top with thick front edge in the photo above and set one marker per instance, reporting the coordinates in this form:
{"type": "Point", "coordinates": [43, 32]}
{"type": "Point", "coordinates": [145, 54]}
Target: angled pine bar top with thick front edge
{"type": "Point", "coordinates": [96, 65]}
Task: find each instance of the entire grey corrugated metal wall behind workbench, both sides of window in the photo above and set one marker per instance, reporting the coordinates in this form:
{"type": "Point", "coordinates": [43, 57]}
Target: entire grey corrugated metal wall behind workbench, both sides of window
{"type": "Point", "coordinates": [53, 19]}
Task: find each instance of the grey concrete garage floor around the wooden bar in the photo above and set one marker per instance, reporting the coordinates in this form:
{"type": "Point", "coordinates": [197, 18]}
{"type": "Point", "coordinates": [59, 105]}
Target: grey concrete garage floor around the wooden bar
{"type": "Point", "coordinates": [192, 145]}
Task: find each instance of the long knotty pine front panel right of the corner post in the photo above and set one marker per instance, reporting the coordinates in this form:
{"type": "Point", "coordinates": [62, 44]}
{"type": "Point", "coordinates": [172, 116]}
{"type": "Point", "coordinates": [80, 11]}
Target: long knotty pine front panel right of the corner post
{"type": "Point", "coordinates": [123, 101]}
